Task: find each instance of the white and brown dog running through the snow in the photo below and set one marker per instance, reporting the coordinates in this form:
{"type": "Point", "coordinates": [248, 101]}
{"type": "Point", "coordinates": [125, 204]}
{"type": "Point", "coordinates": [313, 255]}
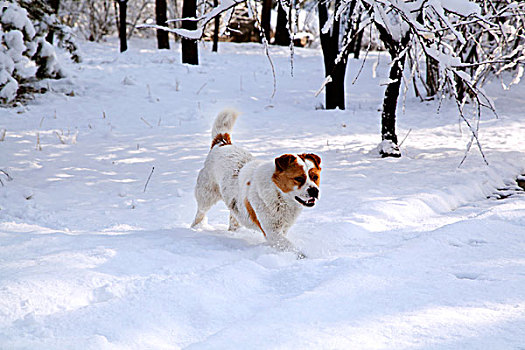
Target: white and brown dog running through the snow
{"type": "Point", "coordinates": [266, 196]}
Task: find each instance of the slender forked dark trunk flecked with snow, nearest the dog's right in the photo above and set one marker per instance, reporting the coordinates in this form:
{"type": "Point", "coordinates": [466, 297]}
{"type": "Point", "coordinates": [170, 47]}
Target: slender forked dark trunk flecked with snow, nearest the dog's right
{"type": "Point", "coordinates": [388, 116]}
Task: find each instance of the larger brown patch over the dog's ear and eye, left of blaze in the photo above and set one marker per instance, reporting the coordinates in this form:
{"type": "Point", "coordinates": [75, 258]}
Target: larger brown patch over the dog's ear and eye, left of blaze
{"type": "Point", "coordinates": [288, 173]}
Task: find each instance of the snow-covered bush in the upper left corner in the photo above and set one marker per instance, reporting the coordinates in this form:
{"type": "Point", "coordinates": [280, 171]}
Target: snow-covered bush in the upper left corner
{"type": "Point", "coordinates": [25, 55]}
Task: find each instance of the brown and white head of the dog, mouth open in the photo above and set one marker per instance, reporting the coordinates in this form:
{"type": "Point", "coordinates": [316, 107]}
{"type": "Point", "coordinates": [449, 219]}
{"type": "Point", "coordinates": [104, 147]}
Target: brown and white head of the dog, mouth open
{"type": "Point", "coordinates": [298, 176]}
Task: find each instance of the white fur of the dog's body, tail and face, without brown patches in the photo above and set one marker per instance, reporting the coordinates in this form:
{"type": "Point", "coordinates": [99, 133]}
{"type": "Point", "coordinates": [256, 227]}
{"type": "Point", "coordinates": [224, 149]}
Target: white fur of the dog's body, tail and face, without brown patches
{"type": "Point", "coordinates": [231, 173]}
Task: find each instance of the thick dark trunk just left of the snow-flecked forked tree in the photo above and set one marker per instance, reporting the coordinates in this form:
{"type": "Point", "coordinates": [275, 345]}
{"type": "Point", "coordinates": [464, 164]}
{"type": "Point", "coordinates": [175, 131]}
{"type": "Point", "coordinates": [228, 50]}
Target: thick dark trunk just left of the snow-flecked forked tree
{"type": "Point", "coordinates": [334, 90]}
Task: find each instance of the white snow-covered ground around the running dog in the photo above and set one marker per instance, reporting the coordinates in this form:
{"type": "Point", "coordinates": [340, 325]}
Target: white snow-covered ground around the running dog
{"type": "Point", "coordinates": [405, 253]}
